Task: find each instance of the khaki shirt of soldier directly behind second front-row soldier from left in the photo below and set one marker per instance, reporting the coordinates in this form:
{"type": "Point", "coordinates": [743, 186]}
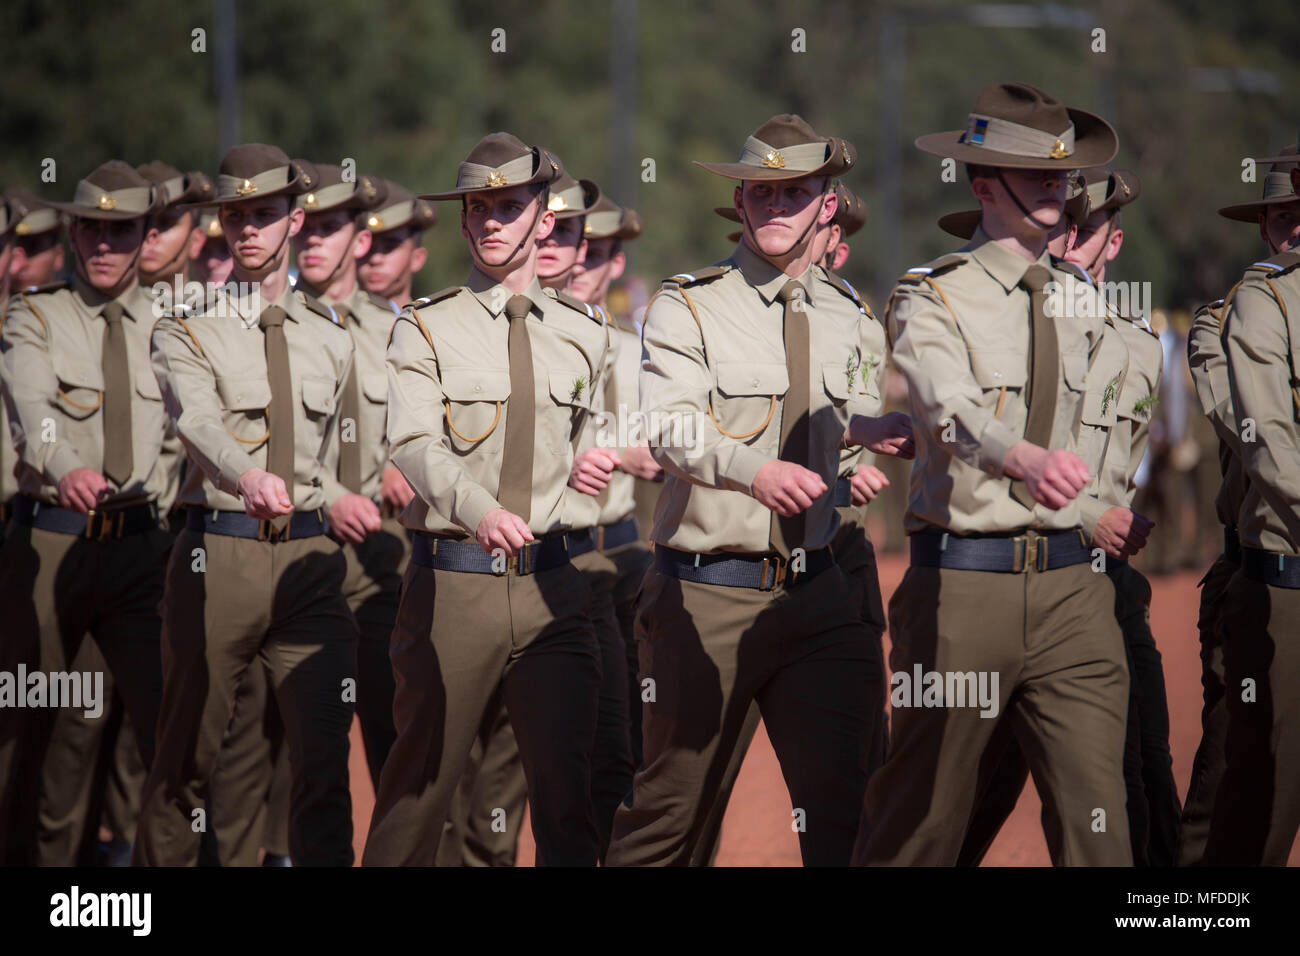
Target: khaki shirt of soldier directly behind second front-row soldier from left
{"type": "Point", "coordinates": [370, 327]}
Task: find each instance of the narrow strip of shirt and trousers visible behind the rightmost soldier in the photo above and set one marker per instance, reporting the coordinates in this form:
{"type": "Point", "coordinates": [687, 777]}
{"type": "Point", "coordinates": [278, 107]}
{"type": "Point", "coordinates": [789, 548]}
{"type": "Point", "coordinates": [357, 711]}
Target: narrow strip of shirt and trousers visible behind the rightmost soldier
{"type": "Point", "coordinates": [1208, 365]}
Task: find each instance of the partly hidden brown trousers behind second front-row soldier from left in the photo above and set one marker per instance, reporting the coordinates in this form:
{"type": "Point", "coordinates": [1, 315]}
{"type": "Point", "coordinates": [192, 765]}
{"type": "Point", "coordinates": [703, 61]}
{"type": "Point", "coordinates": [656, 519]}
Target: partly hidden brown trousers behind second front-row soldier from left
{"type": "Point", "coordinates": [252, 768]}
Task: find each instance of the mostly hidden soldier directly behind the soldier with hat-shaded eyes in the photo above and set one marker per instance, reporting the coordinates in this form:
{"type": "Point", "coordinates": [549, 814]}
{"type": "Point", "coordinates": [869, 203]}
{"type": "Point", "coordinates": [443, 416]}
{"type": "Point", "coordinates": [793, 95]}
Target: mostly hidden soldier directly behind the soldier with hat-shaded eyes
{"type": "Point", "coordinates": [859, 485]}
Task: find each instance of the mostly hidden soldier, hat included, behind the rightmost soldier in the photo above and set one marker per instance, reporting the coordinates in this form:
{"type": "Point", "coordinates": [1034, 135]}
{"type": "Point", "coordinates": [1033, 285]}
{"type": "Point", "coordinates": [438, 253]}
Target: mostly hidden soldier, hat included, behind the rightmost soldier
{"type": "Point", "coordinates": [1277, 215]}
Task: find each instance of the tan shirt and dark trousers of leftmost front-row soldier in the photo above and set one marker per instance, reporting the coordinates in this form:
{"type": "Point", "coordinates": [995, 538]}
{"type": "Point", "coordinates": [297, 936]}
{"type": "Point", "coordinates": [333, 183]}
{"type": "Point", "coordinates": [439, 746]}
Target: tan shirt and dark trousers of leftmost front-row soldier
{"type": "Point", "coordinates": [58, 585]}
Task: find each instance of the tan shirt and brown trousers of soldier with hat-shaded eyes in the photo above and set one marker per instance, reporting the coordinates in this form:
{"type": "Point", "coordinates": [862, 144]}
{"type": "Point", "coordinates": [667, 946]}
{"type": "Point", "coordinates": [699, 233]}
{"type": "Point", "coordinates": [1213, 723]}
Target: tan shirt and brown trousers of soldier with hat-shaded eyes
{"type": "Point", "coordinates": [716, 362]}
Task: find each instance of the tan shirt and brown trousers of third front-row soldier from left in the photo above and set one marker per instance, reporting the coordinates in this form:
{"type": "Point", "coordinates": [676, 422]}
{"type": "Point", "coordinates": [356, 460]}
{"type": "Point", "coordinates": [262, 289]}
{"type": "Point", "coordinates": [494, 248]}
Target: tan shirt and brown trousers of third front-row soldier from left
{"type": "Point", "coordinates": [467, 639]}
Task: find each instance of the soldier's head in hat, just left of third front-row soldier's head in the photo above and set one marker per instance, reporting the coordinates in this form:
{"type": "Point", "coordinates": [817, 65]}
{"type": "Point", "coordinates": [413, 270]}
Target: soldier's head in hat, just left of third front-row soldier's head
{"type": "Point", "coordinates": [396, 256]}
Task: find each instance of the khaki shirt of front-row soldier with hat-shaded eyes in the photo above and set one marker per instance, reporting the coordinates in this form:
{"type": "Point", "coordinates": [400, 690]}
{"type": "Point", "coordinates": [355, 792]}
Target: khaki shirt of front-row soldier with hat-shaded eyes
{"type": "Point", "coordinates": [733, 365]}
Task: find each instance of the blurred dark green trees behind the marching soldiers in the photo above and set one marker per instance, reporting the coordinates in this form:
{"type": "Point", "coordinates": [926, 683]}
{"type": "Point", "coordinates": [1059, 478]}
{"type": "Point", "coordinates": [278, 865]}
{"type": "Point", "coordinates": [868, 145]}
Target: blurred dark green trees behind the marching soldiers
{"type": "Point", "coordinates": [408, 88]}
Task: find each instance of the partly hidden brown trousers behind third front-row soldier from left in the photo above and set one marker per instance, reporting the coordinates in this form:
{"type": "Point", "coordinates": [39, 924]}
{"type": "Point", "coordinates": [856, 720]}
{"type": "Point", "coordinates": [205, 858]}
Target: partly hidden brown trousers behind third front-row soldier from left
{"type": "Point", "coordinates": [492, 795]}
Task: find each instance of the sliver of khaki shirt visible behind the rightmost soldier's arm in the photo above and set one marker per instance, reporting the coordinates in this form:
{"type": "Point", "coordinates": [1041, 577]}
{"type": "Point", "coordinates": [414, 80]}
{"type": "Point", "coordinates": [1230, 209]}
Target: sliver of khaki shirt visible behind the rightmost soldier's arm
{"type": "Point", "coordinates": [1208, 364]}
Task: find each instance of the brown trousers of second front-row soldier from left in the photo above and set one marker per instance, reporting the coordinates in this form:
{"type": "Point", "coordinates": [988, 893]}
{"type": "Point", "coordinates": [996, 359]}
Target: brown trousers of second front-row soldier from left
{"type": "Point", "coordinates": [257, 603]}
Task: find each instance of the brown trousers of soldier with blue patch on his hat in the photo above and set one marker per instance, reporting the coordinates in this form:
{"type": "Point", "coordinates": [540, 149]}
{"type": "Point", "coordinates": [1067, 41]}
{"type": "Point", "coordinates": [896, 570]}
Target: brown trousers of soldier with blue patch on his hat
{"type": "Point", "coordinates": [1063, 681]}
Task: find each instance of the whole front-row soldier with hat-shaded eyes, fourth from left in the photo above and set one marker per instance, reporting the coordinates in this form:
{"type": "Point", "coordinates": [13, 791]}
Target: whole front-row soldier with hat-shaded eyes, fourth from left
{"type": "Point", "coordinates": [746, 600]}
